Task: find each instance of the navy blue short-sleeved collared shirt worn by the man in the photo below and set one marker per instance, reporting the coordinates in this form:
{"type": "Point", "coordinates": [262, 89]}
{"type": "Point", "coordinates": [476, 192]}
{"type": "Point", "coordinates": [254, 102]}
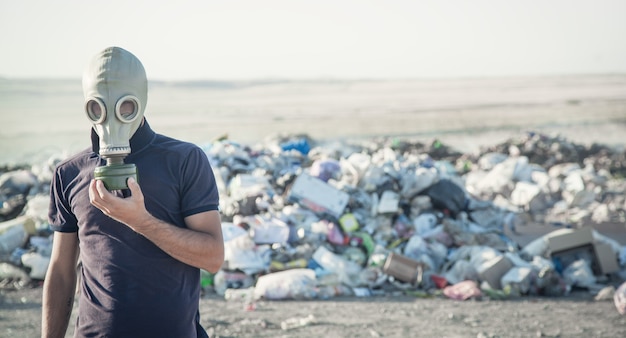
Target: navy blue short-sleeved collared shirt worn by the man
{"type": "Point", "coordinates": [130, 287]}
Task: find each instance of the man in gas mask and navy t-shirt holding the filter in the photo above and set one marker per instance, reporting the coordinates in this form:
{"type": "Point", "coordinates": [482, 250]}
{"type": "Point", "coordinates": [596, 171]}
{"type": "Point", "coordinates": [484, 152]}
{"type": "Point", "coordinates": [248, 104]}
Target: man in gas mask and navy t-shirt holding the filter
{"type": "Point", "coordinates": [141, 249]}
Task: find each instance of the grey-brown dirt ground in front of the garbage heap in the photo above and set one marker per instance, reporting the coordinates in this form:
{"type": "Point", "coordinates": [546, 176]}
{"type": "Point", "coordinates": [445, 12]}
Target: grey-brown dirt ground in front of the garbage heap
{"type": "Point", "coordinates": [392, 315]}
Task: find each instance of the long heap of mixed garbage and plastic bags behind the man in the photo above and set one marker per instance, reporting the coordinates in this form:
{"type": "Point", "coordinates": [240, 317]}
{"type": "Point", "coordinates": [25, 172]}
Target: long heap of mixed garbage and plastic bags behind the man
{"type": "Point", "coordinates": [305, 220]}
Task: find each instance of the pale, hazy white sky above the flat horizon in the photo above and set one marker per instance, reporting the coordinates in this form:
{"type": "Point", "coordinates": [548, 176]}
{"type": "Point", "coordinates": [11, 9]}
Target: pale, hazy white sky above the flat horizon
{"type": "Point", "coordinates": [295, 39]}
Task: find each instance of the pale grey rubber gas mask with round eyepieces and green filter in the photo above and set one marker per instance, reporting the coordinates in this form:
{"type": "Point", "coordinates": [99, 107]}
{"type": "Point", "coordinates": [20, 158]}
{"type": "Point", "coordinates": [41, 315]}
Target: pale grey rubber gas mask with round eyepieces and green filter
{"type": "Point", "coordinates": [116, 90]}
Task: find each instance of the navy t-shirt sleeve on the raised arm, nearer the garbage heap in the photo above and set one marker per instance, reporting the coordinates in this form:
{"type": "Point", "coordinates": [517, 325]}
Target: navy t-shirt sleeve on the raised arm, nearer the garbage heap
{"type": "Point", "coordinates": [199, 189]}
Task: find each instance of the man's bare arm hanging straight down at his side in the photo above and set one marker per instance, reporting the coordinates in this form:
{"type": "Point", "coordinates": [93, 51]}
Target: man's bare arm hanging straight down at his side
{"type": "Point", "coordinates": [59, 285]}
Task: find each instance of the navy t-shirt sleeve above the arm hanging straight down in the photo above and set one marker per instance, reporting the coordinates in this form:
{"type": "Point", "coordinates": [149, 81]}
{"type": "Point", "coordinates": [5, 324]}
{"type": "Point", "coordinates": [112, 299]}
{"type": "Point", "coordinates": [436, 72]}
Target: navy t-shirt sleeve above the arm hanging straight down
{"type": "Point", "coordinates": [60, 216]}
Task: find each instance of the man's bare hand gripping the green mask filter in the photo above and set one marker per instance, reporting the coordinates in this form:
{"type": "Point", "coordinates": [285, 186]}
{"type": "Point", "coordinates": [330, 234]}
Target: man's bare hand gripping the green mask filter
{"type": "Point", "coordinates": [130, 211]}
